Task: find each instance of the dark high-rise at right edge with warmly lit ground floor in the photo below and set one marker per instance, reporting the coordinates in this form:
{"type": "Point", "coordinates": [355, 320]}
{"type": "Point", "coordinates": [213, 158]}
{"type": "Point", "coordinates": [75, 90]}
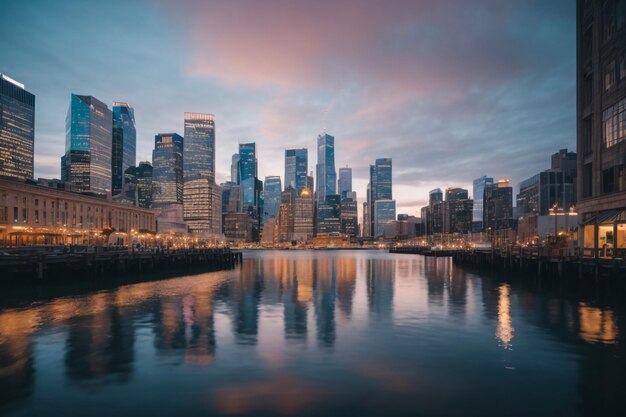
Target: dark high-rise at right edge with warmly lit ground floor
{"type": "Point", "coordinates": [601, 126]}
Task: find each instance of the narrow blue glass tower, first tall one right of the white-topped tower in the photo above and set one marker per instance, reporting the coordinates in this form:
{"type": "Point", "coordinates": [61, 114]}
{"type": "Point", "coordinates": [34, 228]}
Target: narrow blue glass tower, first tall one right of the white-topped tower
{"type": "Point", "coordinates": [251, 186]}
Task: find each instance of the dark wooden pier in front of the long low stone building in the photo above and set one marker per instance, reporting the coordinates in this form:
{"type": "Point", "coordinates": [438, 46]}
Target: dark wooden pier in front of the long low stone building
{"type": "Point", "coordinates": [37, 264]}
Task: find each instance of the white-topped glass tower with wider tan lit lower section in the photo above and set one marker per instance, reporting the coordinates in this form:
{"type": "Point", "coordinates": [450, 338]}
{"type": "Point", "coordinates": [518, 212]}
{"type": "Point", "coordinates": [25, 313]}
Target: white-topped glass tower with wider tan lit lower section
{"type": "Point", "coordinates": [202, 198]}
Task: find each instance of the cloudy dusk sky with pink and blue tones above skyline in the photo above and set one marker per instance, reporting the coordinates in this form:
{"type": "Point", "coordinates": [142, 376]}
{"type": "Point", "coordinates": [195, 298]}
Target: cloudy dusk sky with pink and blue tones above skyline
{"type": "Point", "coordinates": [450, 90]}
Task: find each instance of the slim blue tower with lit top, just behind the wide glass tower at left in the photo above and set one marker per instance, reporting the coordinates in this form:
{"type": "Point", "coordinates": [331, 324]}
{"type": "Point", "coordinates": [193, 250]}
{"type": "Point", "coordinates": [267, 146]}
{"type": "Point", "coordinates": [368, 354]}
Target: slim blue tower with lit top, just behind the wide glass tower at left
{"type": "Point", "coordinates": [124, 146]}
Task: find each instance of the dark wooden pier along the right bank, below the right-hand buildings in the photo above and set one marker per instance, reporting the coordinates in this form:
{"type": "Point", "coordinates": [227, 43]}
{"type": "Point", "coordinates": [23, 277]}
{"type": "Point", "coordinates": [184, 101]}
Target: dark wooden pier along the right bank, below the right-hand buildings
{"type": "Point", "coordinates": [538, 261]}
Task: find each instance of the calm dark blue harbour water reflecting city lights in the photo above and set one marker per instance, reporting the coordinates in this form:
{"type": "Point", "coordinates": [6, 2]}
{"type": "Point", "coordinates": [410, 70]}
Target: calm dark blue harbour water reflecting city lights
{"type": "Point", "coordinates": [333, 333]}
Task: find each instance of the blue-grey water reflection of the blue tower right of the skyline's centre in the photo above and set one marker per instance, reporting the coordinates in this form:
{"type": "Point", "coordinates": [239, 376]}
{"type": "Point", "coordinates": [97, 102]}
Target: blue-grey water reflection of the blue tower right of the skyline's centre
{"type": "Point", "coordinates": [380, 278]}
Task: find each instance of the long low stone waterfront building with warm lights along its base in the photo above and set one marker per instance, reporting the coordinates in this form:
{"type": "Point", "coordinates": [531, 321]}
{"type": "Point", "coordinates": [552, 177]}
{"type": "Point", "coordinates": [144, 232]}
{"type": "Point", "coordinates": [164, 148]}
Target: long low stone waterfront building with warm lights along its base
{"type": "Point", "coordinates": [33, 214]}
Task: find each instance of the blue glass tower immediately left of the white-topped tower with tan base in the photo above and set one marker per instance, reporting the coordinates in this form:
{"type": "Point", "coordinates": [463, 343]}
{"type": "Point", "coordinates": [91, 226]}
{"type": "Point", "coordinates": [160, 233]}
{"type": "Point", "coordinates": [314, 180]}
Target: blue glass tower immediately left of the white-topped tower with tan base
{"type": "Point", "coordinates": [167, 174]}
